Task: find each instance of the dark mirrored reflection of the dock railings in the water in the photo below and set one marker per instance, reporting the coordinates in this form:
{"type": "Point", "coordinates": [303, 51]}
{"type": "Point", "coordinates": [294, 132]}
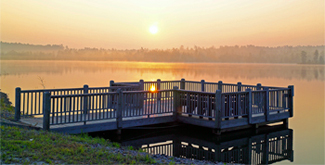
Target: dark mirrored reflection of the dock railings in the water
{"type": "Point", "coordinates": [269, 146]}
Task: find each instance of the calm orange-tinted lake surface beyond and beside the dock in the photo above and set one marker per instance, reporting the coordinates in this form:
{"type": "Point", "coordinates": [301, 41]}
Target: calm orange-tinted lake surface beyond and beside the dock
{"type": "Point", "coordinates": [307, 123]}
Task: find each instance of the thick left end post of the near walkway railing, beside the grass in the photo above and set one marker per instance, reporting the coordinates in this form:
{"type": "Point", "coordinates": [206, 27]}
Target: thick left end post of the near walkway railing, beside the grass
{"type": "Point", "coordinates": [46, 110]}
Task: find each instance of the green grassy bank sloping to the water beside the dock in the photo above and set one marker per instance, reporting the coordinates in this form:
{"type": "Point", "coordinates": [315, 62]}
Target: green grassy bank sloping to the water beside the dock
{"type": "Point", "coordinates": [28, 146]}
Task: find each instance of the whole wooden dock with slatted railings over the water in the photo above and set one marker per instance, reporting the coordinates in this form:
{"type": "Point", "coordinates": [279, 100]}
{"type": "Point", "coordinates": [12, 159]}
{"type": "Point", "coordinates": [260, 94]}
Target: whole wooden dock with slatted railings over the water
{"type": "Point", "coordinates": [219, 106]}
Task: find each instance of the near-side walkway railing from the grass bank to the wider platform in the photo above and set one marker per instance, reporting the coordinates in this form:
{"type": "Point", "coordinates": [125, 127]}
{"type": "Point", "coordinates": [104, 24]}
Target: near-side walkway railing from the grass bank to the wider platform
{"type": "Point", "coordinates": [119, 105]}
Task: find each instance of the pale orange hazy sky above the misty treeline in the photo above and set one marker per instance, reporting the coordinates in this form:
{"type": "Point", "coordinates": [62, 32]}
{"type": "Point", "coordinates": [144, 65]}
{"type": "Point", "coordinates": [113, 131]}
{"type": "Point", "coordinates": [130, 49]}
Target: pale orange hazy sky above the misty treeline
{"type": "Point", "coordinates": [126, 23]}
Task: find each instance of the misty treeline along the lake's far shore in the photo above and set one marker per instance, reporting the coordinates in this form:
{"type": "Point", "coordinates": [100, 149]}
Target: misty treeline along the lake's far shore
{"type": "Point", "coordinates": [229, 54]}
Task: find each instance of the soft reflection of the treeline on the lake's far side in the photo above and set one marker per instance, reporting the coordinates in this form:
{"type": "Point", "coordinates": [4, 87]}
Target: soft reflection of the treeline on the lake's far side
{"type": "Point", "coordinates": [247, 71]}
